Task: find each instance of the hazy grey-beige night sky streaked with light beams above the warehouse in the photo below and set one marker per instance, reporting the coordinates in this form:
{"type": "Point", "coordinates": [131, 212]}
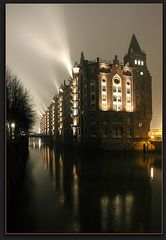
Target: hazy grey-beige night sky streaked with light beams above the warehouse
{"type": "Point", "coordinates": [43, 41]}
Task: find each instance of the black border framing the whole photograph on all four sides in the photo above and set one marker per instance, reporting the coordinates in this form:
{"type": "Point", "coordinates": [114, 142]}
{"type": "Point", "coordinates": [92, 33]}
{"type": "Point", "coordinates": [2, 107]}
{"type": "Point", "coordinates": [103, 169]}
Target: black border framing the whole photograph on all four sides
{"type": "Point", "coordinates": [4, 236]}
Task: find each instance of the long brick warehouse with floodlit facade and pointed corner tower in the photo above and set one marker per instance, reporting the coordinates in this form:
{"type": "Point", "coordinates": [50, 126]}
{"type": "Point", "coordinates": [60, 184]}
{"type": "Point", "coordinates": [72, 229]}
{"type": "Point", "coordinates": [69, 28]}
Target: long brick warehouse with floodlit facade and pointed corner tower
{"type": "Point", "coordinates": [104, 104]}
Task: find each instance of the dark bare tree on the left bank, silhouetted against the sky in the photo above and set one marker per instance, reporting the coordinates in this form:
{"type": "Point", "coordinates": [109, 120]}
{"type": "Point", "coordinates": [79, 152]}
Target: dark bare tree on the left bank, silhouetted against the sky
{"type": "Point", "coordinates": [20, 107]}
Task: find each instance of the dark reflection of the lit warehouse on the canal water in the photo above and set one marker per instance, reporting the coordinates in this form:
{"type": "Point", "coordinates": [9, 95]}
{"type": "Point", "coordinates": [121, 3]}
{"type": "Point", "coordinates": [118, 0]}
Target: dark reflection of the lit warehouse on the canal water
{"type": "Point", "coordinates": [108, 193]}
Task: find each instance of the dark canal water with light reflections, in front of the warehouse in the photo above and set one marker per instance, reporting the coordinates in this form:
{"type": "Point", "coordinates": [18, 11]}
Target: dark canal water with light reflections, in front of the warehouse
{"type": "Point", "coordinates": [65, 191]}
